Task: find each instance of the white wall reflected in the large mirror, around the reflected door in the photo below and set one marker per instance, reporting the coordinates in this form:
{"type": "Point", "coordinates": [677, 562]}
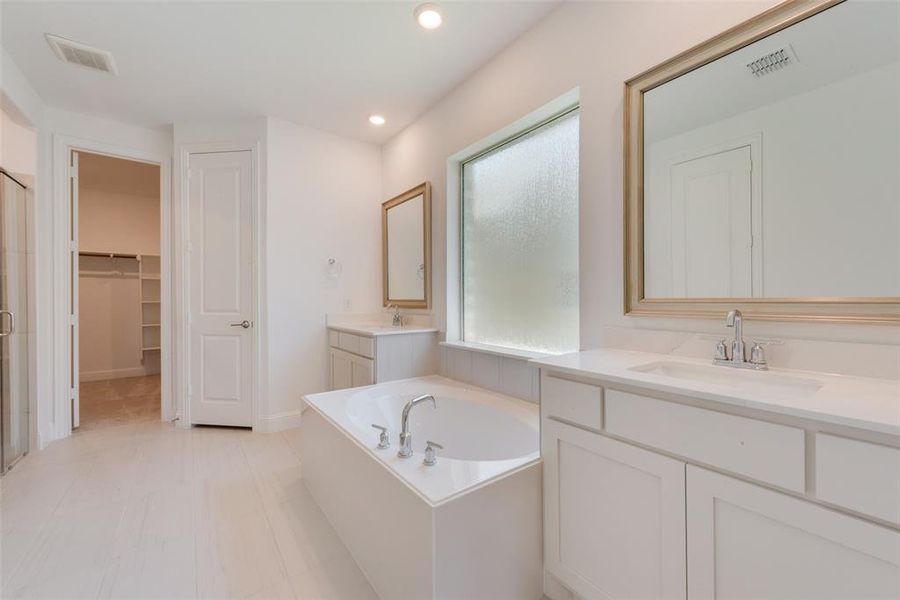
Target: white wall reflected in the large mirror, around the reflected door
{"type": "Point", "coordinates": [830, 215]}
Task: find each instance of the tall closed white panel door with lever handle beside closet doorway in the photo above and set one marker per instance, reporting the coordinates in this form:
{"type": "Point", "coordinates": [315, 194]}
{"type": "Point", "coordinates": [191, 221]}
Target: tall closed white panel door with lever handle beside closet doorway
{"type": "Point", "coordinates": [221, 288]}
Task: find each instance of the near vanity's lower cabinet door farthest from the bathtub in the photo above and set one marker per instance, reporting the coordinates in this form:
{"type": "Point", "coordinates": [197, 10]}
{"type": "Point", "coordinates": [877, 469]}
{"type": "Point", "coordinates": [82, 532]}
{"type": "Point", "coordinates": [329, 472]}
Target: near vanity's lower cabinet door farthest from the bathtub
{"type": "Point", "coordinates": [745, 541]}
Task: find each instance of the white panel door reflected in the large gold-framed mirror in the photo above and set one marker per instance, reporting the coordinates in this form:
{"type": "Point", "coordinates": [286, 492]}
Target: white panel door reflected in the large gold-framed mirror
{"type": "Point", "coordinates": [711, 226]}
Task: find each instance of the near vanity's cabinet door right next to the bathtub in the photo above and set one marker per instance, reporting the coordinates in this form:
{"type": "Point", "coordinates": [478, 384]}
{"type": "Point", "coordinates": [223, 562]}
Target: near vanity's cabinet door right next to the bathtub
{"type": "Point", "coordinates": [613, 516]}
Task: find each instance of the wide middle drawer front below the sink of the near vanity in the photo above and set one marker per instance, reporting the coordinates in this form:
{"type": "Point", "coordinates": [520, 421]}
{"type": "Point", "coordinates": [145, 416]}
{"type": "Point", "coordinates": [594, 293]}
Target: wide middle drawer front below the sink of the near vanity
{"type": "Point", "coordinates": [764, 451]}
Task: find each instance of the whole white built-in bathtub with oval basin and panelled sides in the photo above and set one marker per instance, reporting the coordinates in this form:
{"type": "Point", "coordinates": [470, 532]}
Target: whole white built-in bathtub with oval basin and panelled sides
{"type": "Point", "coordinates": [468, 527]}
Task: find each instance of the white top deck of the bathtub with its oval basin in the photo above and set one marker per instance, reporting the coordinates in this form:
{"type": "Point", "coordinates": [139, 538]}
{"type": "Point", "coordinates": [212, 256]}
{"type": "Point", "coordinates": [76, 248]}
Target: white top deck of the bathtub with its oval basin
{"type": "Point", "coordinates": [485, 435]}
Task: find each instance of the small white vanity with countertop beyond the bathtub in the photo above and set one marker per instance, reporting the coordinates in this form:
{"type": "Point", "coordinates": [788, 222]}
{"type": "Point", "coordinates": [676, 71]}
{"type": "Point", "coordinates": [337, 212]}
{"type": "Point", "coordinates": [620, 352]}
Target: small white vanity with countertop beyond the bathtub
{"type": "Point", "coordinates": [362, 354]}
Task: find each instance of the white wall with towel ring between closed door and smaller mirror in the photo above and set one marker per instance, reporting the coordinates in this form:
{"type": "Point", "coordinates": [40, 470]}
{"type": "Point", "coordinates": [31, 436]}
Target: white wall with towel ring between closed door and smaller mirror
{"type": "Point", "coordinates": [324, 195]}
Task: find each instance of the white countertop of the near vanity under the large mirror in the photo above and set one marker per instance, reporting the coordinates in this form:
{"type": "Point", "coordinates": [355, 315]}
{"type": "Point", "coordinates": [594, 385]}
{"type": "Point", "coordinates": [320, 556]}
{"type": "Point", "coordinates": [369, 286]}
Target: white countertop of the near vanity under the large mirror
{"type": "Point", "coordinates": [870, 404]}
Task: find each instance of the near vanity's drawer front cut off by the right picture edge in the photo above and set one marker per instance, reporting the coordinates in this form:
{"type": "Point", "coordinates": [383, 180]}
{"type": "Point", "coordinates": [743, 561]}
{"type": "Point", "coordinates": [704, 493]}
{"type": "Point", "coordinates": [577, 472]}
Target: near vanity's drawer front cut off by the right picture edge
{"type": "Point", "coordinates": [861, 476]}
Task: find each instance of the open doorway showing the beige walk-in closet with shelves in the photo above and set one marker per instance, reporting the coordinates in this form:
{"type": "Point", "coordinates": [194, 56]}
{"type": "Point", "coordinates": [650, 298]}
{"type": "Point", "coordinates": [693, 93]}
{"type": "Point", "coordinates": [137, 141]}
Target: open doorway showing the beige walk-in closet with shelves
{"type": "Point", "coordinates": [119, 300]}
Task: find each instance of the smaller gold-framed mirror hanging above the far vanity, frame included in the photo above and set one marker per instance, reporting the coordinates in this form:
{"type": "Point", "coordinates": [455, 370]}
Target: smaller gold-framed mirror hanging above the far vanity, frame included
{"type": "Point", "coordinates": [406, 248]}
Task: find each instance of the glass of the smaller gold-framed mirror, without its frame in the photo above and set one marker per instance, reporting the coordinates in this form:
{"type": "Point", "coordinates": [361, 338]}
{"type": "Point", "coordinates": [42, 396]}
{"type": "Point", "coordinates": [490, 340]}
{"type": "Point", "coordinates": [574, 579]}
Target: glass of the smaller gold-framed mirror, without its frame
{"type": "Point", "coordinates": [406, 250]}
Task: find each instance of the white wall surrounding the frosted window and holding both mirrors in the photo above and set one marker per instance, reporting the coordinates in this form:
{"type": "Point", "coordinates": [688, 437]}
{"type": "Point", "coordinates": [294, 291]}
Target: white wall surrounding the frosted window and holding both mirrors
{"type": "Point", "coordinates": [593, 46]}
